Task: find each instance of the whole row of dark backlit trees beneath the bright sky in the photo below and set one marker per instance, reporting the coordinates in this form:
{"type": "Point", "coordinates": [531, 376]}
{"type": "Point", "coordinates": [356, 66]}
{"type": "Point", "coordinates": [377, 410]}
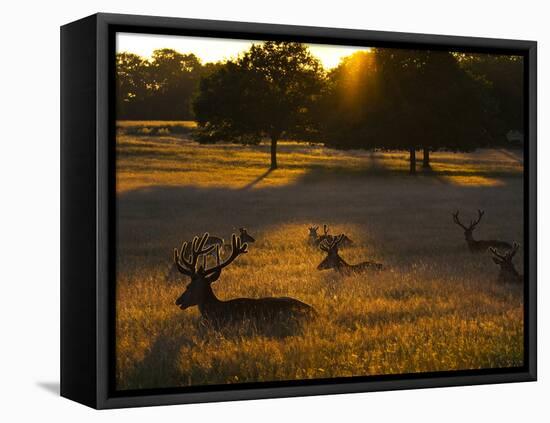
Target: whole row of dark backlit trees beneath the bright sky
{"type": "Point", "coordinates": [386, 99]}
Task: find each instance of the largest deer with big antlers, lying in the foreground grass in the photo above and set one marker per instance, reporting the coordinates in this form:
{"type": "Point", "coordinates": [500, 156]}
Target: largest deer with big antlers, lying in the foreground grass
{"type": "Point", "coordinates": [199, 292]}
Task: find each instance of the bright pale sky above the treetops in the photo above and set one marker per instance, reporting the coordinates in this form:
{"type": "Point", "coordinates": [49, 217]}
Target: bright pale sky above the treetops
{"type": "Point", "coordinates": [216, 49]}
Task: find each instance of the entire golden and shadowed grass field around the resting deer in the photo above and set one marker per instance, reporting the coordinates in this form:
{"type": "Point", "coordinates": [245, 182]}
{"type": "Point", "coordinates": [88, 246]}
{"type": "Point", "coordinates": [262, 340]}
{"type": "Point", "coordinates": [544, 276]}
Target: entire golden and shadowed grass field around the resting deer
{"type": "Point", "coordinates": [435, 307]}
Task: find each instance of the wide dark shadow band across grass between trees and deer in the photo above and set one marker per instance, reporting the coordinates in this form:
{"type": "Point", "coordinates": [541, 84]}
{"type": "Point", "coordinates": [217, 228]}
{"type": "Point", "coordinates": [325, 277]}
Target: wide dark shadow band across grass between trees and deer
{"type": "Point", "coordinates": [156, 218]}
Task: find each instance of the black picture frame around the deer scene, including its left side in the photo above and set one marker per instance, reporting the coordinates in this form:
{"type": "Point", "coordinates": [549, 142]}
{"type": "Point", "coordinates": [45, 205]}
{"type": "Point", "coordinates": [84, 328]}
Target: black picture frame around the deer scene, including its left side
{"type": "Point", "coordinates": [88, 210]}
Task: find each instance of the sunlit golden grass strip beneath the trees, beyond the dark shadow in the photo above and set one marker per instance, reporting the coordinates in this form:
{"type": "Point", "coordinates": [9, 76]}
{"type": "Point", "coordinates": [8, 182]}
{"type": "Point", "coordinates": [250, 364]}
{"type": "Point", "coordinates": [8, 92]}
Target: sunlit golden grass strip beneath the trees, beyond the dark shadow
{"type": "Point", "coordinates": [176, 161]}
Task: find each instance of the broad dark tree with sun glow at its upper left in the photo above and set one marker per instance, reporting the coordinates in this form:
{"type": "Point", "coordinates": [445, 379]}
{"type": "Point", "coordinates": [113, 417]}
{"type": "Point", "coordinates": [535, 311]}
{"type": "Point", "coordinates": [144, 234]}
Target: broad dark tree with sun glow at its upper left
{"type": "Point", "coordinates": [402, 100]}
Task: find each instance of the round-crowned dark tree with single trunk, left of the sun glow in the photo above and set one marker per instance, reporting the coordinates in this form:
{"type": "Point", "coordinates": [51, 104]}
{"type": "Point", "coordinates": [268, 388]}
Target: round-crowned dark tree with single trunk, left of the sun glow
{"type": "Point", "coordinates": [267, 92]}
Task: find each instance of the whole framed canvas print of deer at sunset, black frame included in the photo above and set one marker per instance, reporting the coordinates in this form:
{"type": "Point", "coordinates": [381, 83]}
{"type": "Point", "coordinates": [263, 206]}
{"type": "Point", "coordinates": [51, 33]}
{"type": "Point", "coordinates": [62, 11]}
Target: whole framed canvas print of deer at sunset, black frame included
{"type": "Point", "coordinates": [255, 211]}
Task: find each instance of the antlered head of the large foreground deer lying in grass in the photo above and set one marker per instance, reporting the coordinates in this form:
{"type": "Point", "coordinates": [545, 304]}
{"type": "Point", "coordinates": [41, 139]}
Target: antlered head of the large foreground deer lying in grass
{"type": "Point", "coordinates": [201, 276]}
